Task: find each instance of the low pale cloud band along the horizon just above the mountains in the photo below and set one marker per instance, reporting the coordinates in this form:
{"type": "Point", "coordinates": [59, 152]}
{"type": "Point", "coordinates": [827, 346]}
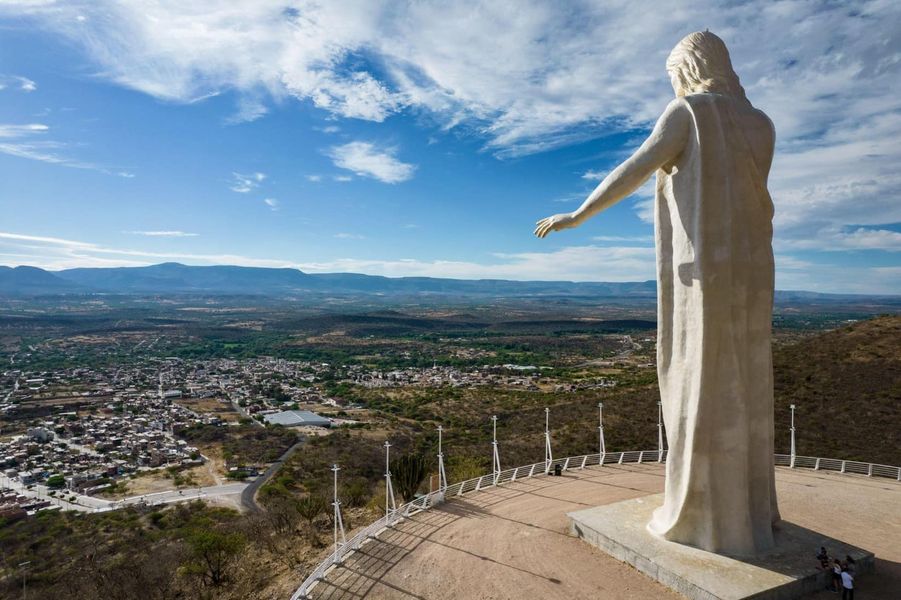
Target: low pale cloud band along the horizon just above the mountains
{"type": "Point", "coordinates": [574, 263]}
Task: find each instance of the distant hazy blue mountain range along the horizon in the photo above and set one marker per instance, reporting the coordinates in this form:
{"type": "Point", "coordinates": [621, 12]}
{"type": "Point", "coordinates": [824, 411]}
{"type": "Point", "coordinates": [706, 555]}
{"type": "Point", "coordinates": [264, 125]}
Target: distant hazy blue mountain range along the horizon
{"type": "Point", "coordinates": [175, 278]}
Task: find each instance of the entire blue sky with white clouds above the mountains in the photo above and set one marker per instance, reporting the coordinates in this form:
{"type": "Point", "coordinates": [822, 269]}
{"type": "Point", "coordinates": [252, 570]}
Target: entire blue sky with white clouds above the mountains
{"type": "Point", "coordinates": [422, 138]}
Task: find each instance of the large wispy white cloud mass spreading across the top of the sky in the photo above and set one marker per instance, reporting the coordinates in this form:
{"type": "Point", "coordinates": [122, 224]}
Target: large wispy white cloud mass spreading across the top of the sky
{"type": "Point", "coordinates": [538, 77]}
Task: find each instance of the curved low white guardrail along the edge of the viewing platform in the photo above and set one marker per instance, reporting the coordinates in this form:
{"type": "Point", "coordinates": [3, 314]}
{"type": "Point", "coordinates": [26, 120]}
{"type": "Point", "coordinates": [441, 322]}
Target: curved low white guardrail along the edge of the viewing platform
{"type": "Point", "coordinates": [373, 530]}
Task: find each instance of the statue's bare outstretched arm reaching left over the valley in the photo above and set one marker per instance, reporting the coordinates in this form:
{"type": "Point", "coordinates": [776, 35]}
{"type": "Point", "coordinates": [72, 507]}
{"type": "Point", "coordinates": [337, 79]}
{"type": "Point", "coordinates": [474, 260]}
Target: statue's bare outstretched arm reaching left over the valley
{"type": "Point", "coordinates": [662, 147]}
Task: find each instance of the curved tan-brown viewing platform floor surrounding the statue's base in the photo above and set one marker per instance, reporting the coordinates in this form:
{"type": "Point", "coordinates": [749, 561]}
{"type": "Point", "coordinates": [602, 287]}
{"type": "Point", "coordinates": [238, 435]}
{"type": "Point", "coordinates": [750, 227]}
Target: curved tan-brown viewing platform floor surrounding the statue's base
{"type": "Point", "coordinates": [514, 541]}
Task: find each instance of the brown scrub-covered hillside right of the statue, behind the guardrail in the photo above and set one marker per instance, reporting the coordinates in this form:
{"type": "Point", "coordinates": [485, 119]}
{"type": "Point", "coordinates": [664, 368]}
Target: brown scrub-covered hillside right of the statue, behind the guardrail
{"type": "Point", "coordinates": [846, 385]}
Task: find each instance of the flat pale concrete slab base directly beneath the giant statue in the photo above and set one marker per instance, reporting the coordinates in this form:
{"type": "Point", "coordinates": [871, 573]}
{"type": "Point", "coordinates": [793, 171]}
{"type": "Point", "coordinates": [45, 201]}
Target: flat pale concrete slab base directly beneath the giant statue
{"type": "Point", "coordinates": [789, 571]}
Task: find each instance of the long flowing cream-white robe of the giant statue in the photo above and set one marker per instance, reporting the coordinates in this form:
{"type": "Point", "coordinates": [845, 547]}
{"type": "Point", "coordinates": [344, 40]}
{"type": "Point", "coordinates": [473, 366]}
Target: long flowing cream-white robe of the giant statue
{"type": "Point", "coordinates": [715, 277]}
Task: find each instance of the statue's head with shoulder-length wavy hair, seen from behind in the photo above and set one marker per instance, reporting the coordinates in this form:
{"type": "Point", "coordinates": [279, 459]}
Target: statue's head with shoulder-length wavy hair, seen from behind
{"type": "Point", "coordinates": [701, 63]}
